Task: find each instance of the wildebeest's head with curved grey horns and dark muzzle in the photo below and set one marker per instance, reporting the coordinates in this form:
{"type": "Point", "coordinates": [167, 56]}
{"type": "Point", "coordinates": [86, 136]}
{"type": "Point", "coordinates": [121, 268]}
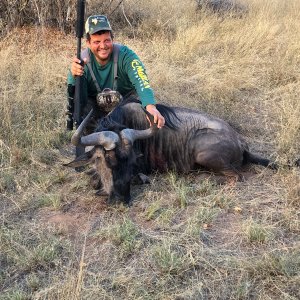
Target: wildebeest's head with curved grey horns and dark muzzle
{"type": "Point", "coordinates": [112, 155]}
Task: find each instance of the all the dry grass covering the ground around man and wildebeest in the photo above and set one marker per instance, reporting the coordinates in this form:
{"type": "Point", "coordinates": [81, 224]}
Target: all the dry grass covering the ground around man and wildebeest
{"type": "Point", "coordinates": [186, 237]}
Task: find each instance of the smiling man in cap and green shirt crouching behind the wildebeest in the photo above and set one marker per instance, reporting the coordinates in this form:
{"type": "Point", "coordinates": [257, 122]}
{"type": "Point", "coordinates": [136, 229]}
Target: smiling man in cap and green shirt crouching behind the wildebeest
{"type": "Point", "coordinates": [99, 60]}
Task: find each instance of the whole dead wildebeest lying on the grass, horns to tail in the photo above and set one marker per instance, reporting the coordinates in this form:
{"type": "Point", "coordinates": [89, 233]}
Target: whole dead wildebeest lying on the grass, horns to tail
{"type": "Point", "coordinates": [123, 146]}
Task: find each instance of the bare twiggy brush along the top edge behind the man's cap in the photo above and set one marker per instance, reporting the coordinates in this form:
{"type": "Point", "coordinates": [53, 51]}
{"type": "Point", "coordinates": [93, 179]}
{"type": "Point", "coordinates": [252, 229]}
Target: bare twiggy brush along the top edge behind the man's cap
{"type": "Point", "coordinates": [61, 14]}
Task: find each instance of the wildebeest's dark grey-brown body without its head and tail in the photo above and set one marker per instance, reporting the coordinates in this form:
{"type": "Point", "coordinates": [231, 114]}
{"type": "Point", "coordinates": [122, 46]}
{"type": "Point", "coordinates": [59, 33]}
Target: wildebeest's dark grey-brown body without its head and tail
{"type": "Point", "coordinates": [198, 140]}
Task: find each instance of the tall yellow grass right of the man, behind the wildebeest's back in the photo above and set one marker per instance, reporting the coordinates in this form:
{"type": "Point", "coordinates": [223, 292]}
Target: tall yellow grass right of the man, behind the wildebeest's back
{"type": "Point", "coordinates": [244, 69]}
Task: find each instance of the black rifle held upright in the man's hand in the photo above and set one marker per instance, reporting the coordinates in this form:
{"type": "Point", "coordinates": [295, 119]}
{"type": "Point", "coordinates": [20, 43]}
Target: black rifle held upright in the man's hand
{"type": "Point", "coordinates": [78, 82]}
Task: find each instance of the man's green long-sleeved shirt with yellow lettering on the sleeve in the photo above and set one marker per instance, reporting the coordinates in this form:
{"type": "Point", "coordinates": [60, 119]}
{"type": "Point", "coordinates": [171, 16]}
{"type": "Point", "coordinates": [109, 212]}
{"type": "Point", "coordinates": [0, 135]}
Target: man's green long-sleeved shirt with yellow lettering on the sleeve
{"type": "Point", "coordinates": [132, 76]}
